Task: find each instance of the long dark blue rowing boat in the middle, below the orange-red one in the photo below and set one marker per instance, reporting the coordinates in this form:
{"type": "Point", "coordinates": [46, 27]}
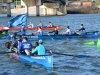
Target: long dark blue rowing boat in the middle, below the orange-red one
{"type": "Point", "coordinates": [88, 35]}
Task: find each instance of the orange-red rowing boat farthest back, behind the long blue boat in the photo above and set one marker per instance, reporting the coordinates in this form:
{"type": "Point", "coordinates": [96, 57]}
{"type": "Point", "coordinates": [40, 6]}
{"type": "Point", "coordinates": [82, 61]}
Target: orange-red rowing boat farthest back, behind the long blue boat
{"type": "Point", "coordinates": [45, 28]}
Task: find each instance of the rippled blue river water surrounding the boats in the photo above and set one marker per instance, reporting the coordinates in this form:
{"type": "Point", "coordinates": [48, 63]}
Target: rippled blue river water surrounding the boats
{"type": "Point", "coordinates": [63, 65]}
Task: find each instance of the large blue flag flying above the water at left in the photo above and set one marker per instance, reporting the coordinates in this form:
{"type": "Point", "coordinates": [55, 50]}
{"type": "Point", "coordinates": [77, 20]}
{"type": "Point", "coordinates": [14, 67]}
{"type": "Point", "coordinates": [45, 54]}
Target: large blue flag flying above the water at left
{"type": "Point", "coordinates": [17, 21]}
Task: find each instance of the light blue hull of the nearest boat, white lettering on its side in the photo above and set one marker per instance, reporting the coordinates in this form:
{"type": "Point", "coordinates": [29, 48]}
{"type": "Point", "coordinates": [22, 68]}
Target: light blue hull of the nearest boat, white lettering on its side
{"type": "Point", "coordinates": [43, 60]}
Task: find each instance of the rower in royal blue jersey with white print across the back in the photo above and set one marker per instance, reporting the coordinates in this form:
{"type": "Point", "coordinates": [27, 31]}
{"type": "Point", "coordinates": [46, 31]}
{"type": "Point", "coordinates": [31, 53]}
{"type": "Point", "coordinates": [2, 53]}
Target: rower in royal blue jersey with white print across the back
{"type": "Point", "coordinates": [25, 47]}
